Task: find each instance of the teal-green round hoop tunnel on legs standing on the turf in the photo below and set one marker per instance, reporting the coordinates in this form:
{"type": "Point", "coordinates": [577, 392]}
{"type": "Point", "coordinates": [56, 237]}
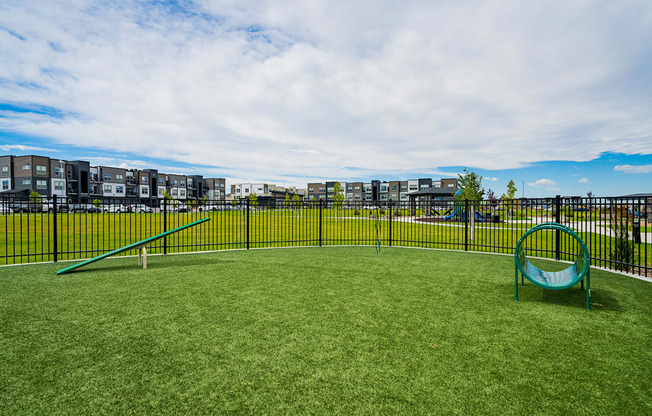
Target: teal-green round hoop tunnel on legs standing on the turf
{"type": "Point", "coordinates": [577, 272]}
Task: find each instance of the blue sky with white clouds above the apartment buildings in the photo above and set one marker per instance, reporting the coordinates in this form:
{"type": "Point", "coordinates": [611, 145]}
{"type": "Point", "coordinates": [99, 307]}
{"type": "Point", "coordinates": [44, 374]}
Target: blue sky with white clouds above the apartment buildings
{"type": "Point", "coordinates": [554, 95]}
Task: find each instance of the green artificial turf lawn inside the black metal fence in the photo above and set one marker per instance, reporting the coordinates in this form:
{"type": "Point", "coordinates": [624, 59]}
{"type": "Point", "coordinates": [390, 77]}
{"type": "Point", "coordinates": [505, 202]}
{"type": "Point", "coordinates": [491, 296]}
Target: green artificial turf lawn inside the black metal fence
{"type": "Point", "coordinates": [319, 330]}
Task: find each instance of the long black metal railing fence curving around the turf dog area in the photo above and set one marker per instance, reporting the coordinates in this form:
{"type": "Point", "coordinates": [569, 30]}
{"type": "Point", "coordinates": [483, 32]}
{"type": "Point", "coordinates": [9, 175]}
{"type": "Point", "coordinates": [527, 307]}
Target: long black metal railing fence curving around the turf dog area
{"type": "Point", "coordinates": [617, 231]}
